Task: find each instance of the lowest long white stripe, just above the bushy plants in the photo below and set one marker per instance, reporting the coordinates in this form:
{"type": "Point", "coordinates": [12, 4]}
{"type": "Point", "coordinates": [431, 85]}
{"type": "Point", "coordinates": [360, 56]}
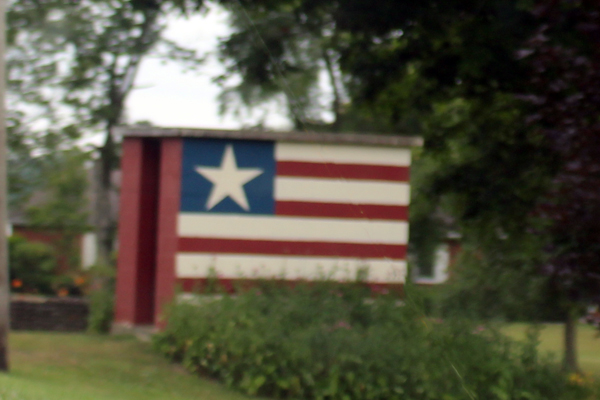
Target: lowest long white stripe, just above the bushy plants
{"type": "Point", "coordinates": [253, 267]}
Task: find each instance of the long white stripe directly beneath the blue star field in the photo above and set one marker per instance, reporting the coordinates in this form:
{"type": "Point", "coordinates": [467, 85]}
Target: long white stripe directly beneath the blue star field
{"type": "Point", "coordinates": [237, 226]}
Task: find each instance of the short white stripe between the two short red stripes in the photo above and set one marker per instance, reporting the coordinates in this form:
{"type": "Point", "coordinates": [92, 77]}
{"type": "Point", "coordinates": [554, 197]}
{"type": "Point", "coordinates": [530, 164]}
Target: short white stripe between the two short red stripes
{"type": "Point", "coordinates": [342, 191]}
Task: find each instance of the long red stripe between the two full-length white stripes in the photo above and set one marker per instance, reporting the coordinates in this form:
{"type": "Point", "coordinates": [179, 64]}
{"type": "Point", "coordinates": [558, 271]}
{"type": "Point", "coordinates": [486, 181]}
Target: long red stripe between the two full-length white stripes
{"type": "Point", "coordinates": [238, 246]}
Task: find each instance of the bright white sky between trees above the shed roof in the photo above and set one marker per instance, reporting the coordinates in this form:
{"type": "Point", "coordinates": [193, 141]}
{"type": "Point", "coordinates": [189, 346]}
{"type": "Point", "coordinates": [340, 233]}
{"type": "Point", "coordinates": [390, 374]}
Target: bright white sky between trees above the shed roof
{"type": "Point", "coordinates": [168, 97]}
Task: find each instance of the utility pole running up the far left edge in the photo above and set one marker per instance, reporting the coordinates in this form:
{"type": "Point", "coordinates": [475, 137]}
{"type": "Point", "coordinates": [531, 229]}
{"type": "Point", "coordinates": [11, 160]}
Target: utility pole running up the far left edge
{"type": "Point", "coordinates": [4, 277]}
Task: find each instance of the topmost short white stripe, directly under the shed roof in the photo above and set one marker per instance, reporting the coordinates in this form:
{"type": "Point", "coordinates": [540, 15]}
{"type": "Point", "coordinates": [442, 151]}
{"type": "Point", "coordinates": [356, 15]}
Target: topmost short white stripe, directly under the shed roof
{"type": "Point", "coordinates": [342, 154]}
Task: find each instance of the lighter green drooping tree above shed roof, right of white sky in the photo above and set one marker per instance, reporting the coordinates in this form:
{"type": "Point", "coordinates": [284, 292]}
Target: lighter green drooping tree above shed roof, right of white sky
{"type": "Point", "coordinates": [281, 50]}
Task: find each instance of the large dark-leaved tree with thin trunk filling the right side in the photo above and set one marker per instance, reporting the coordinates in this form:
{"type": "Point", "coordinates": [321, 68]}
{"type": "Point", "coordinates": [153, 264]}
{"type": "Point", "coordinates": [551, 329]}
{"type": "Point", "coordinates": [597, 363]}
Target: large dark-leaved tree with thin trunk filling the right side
{"type": "Point", "coordinates": [522, 157]}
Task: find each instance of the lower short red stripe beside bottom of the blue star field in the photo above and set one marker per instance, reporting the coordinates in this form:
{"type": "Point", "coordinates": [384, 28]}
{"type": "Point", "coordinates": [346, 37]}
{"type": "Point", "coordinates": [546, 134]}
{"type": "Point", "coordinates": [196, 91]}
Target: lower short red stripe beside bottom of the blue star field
{"type": "Point", "coordinates": [341, 210]}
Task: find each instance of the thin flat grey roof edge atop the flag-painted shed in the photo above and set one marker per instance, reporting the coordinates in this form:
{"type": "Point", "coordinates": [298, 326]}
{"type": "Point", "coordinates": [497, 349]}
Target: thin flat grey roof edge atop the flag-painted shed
{"type": "Point", "coordinates": [286, 136]}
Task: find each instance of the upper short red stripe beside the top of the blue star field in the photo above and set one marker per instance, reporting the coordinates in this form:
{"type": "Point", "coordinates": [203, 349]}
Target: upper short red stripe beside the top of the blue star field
{"type": "Point", "coordinates": [347, 171]}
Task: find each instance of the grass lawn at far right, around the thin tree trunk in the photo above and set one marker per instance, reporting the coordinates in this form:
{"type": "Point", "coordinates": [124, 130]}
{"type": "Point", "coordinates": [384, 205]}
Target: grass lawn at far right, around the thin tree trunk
{"type": "Point", "coordinates": [551, 340]}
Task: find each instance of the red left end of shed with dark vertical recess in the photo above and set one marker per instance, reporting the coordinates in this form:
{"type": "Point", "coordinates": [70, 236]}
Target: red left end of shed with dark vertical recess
{"type": "Point", "coordinates": [136, 264]}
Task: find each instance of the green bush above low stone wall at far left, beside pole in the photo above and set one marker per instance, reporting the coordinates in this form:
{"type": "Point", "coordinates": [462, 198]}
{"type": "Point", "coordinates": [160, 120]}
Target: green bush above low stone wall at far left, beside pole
{"type": "Point", "coordinates": [32, 265]}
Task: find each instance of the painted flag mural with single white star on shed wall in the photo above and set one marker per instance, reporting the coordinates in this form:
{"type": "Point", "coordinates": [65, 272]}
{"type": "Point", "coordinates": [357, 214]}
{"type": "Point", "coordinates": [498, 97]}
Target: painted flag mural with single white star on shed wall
{"type": "Point", "coordinates": [269, 209]}
